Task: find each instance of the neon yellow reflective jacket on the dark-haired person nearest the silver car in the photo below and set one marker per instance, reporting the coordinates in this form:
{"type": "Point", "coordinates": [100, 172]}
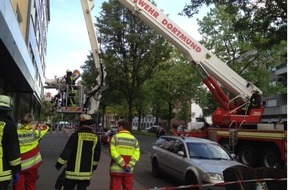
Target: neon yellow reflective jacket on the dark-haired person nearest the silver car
{"type": "Point", "coordinates": [125, 151]}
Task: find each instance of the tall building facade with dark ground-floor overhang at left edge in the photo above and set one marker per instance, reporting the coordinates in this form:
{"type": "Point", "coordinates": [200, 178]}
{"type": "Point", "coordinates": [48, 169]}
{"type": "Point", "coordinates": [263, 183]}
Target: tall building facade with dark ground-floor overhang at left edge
{"type": "Point", "coordinates": [23, 43]}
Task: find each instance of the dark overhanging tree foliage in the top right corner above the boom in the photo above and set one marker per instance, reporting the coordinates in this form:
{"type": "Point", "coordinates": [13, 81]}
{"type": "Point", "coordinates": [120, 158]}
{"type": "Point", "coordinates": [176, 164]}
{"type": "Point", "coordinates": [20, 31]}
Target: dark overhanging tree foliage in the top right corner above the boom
{"type": "Point", "coordinates": [266, 19]}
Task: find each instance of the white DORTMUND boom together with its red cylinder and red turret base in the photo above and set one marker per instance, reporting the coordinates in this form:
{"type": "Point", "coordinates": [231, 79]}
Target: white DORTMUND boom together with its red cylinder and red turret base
{"type": "Point", "coordinates": [232, 111]}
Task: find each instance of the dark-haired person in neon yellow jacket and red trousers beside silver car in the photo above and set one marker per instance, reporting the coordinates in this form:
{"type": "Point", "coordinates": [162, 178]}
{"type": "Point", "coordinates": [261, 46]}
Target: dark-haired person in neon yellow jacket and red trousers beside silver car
{"type": "Point", "coordinates": [125, 152]}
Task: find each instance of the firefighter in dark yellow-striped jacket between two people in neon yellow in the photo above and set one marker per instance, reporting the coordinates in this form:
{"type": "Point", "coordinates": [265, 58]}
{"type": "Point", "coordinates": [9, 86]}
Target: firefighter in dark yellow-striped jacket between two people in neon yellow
{"type": "Point", "coordinates": [81, 155]}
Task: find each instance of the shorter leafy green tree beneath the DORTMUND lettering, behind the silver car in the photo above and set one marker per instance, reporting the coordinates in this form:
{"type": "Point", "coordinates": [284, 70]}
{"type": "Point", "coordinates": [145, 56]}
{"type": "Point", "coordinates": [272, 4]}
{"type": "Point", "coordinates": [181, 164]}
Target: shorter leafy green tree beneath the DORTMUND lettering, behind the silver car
{"type": "Point", "coordinates": [175, 82]}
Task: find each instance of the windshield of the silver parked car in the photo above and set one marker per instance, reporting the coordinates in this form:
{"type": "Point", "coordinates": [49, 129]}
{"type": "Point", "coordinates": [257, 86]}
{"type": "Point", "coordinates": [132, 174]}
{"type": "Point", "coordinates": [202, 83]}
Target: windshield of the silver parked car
{"type": "Point", "coordinates": [207, 151]}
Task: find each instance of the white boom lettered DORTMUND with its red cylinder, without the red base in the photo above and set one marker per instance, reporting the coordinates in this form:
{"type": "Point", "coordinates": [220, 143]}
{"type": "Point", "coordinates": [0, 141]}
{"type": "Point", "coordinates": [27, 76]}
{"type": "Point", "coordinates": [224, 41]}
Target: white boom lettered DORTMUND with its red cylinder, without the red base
{"type": "Point", "coordinates": [217, 71]}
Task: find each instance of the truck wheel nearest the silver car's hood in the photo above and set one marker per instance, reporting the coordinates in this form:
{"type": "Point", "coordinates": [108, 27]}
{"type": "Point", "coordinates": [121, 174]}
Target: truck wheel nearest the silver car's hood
{"type": "Point", "coordinates": [248, 155]}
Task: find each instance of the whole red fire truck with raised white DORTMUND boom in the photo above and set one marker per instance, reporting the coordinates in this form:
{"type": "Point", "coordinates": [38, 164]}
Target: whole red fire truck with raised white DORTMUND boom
{"type": "Point", "coordinates": [237, 122]}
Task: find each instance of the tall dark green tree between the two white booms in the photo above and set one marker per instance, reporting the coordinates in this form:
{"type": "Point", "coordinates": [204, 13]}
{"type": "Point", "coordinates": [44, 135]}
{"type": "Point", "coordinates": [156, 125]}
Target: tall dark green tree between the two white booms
{"type": "Point", "coordinates": [132, 50]}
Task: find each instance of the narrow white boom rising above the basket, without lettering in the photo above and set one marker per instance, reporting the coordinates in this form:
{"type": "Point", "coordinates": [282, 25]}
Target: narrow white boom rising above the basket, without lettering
{"type": "Point", "coordinates": [93, 100]}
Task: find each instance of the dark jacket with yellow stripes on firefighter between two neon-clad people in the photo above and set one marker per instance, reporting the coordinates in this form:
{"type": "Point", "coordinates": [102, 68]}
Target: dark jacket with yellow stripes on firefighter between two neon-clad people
{"type": "Point", "coordinates": [81, 154]}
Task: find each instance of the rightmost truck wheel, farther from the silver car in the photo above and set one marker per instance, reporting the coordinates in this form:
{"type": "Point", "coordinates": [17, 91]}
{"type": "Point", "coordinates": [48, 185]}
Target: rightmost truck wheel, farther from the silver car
{"type": "Point", "coordinates": [271, 157]}
